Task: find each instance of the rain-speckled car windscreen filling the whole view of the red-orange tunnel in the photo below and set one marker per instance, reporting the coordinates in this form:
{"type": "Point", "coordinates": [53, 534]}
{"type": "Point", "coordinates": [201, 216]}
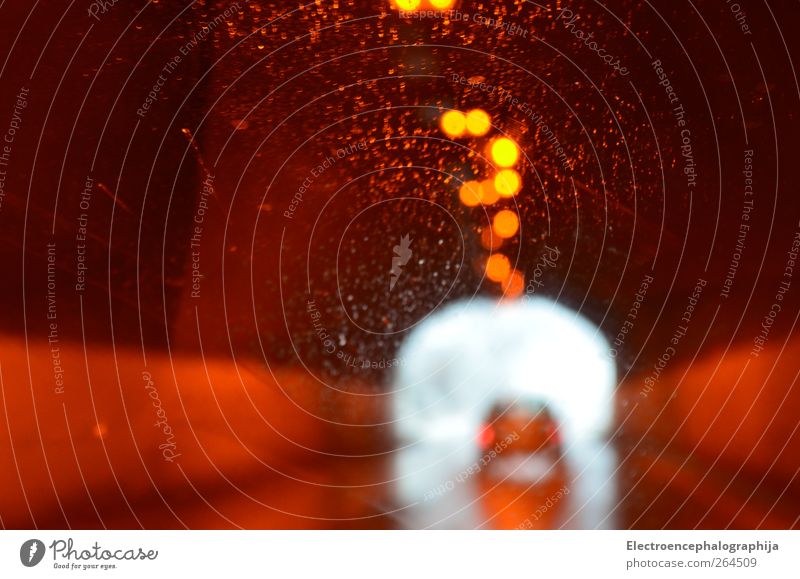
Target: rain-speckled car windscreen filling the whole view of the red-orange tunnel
{"type": "Point", "coordinates": [225, 224]}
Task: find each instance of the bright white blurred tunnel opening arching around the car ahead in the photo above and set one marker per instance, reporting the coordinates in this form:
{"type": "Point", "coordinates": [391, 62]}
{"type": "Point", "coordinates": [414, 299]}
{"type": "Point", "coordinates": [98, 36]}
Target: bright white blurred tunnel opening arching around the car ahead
{"type": "Point", "coordinates": [464, 359]}
